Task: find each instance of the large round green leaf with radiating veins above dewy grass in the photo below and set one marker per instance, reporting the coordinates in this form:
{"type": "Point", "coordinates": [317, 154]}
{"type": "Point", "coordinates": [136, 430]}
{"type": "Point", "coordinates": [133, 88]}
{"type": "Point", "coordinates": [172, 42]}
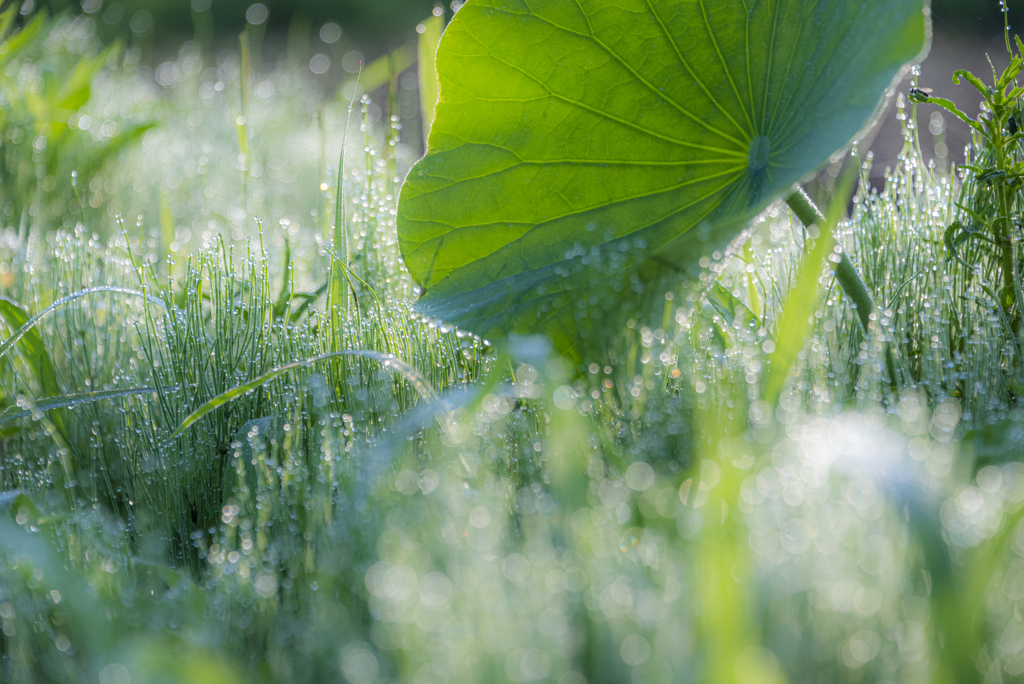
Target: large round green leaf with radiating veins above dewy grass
{"type": "Point", "coordinates": [580, 143]}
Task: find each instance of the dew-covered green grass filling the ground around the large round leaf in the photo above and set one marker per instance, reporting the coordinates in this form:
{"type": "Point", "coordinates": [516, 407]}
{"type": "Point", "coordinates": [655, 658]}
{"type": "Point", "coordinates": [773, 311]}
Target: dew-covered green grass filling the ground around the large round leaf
{"type": "Point", "coordinates": [218, 481]}
